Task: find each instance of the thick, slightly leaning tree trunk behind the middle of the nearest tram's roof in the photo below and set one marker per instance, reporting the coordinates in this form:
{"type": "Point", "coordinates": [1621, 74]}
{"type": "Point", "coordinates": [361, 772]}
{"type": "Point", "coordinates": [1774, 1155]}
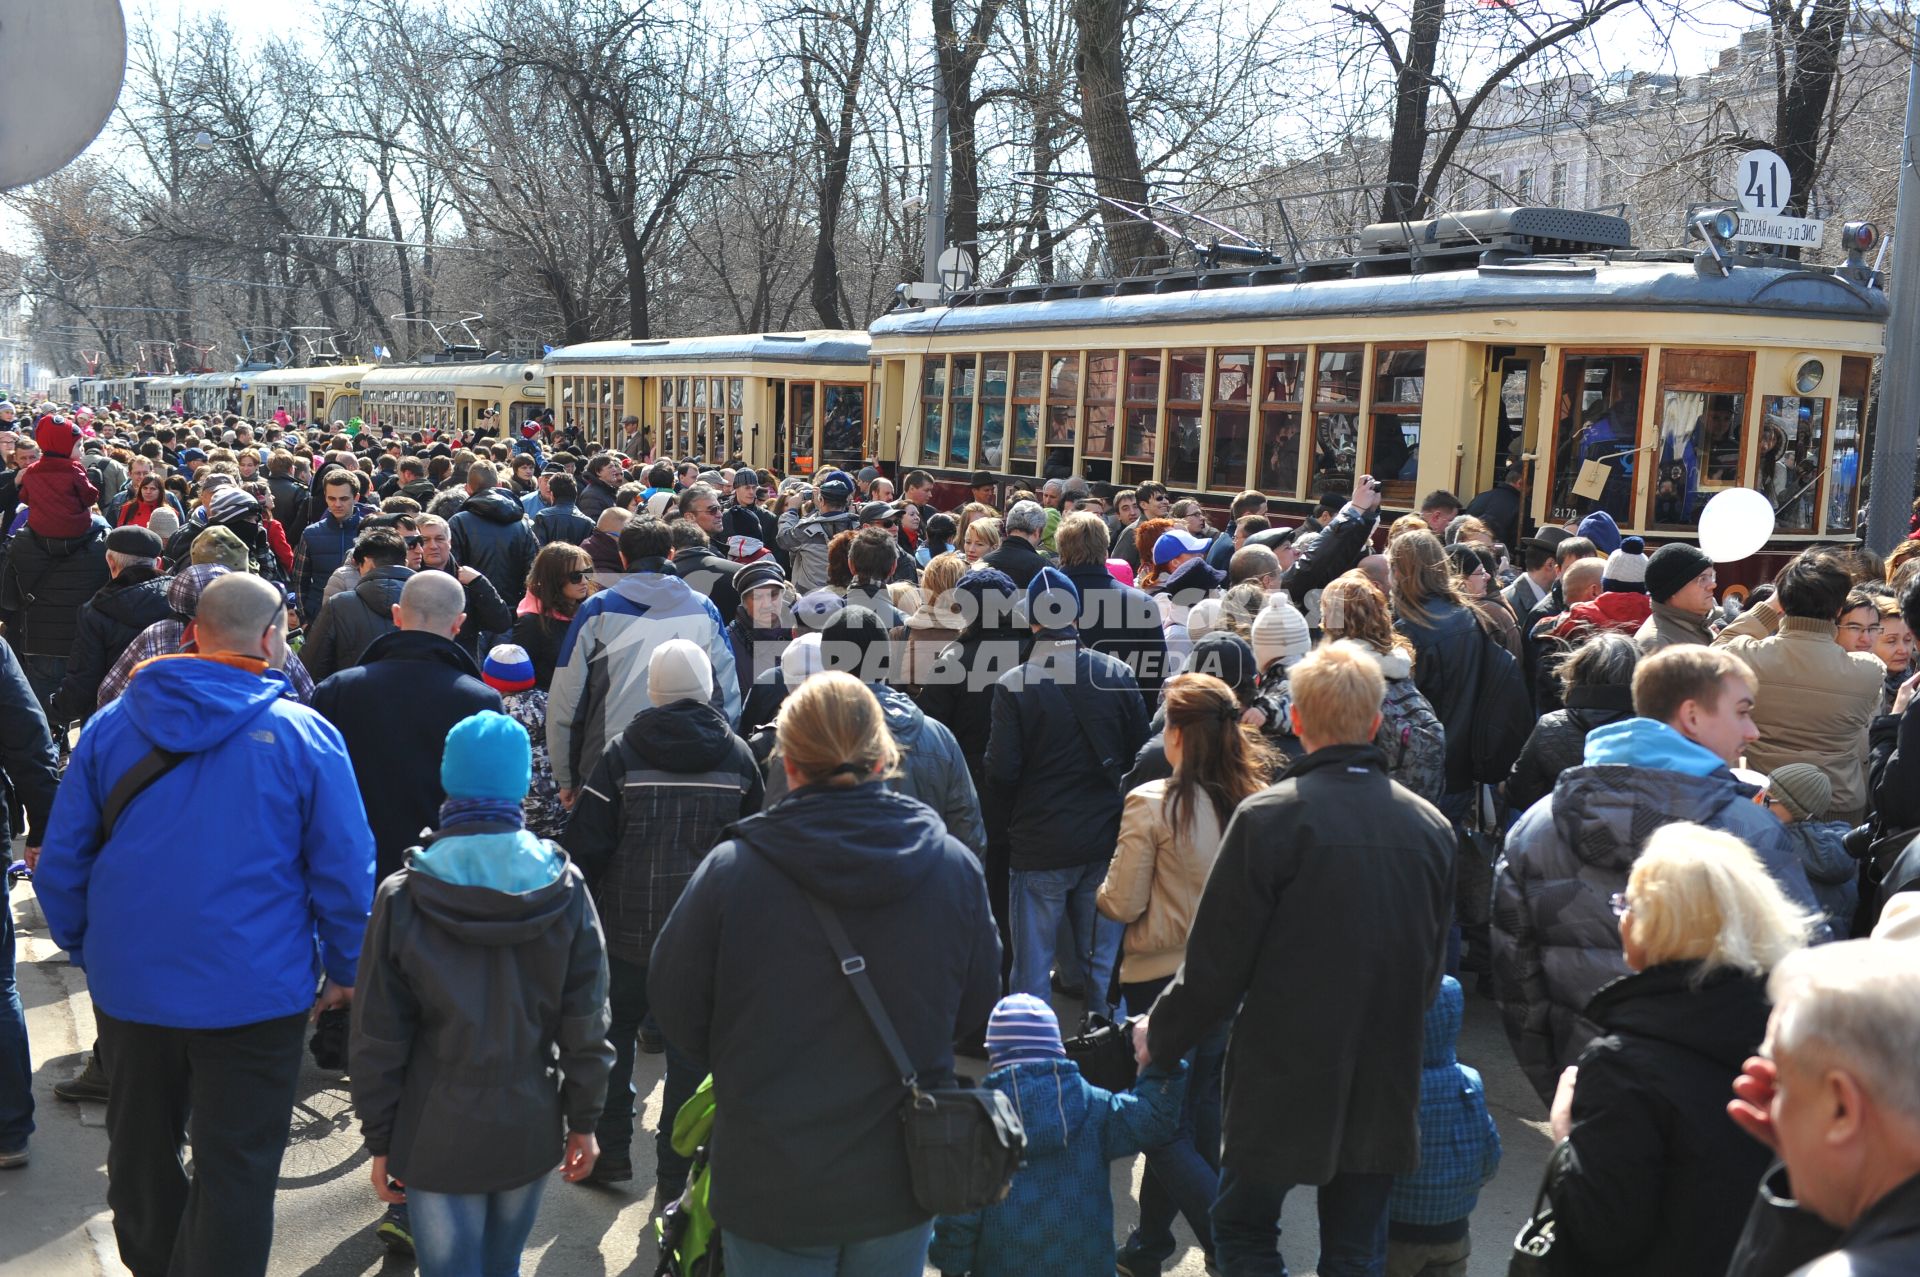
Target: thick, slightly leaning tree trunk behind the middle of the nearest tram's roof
{"type": "Point", "coordinates": [1116, 155]}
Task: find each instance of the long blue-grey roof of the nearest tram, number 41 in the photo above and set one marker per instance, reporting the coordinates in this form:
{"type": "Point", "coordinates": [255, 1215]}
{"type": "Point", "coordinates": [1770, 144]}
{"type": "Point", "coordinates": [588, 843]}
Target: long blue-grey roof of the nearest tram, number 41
{"type": "Point", "coordinates": [1539, 283]}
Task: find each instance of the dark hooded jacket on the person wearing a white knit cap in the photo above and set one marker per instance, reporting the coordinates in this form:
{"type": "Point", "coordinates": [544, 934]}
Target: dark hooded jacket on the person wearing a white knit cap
{"type": "Point", "coordinates": [650, 811]}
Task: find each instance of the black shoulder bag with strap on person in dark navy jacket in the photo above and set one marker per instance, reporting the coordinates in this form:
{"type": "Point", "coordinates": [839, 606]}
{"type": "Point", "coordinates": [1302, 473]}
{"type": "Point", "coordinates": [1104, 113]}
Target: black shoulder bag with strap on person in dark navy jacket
{"type": "Point", "coordinates": [963, 1144]}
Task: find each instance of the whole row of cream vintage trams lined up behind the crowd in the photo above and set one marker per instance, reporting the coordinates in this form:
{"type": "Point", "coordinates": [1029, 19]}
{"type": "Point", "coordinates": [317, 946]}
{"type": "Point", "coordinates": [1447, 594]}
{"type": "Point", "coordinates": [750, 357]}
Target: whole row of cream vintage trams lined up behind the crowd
{"type": "Point", "coordinates": [1441, 354]}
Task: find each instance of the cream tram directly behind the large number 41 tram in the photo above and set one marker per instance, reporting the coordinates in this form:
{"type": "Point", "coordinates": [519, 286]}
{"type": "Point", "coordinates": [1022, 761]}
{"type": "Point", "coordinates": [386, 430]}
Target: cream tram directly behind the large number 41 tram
{"type": "Point", "coordinates": [792, 402]}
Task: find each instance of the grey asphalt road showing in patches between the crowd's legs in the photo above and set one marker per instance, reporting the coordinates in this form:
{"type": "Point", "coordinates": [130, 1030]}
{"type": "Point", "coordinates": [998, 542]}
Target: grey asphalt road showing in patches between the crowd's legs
{"type": "Point", "coordinates": [57, 1222]}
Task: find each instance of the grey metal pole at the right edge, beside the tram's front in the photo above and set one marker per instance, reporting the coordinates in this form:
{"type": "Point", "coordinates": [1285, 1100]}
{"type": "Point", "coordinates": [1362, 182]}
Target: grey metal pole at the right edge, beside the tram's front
{"type": "Point", "coordinates": [1892, 487]}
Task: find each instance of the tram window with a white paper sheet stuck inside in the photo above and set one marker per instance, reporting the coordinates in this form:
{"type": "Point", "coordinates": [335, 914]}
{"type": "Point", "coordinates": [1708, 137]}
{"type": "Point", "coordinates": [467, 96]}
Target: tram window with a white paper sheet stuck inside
{"type": "Point", "coordinates": [1596, 422]}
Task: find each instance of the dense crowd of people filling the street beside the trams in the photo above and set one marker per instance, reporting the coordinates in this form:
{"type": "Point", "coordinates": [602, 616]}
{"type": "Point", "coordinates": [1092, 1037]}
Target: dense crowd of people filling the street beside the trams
{"type": "Point", "coordinates": [500, 761]}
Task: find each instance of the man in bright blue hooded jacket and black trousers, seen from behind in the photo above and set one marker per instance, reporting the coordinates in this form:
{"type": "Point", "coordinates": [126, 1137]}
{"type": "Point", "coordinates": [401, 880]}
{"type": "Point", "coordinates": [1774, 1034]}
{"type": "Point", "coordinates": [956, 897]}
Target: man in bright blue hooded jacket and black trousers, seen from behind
{"type": "Point", "coordinates": [204, 955]}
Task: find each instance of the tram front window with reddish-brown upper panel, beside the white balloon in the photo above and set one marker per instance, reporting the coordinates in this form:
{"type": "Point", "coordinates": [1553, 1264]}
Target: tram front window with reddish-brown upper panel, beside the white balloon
{"type": "Point", "coordinates": [1698, 452]}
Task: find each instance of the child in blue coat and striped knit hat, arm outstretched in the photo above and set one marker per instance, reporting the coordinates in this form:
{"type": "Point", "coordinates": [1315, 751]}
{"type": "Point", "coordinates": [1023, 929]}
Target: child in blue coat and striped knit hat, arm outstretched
{"type": "Point", "coordinates": [1059, 1217]}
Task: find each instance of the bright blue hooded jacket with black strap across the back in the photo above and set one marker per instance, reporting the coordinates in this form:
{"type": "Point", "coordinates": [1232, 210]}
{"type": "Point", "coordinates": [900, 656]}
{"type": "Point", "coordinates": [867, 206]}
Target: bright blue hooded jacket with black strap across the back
{"type": "Point", "coordinates": [279, 865]}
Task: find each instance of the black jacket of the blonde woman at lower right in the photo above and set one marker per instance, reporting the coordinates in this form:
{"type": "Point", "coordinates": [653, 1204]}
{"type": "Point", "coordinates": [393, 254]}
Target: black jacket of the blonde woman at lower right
{"type": "Point", "coordinates": [1658, 1180]}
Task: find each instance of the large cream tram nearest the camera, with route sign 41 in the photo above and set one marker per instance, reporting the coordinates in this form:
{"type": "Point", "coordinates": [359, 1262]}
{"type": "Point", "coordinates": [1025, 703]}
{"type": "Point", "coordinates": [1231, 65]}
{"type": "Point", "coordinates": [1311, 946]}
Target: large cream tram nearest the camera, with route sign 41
{"type": "Point", "coordinates": [1639, 383]}
